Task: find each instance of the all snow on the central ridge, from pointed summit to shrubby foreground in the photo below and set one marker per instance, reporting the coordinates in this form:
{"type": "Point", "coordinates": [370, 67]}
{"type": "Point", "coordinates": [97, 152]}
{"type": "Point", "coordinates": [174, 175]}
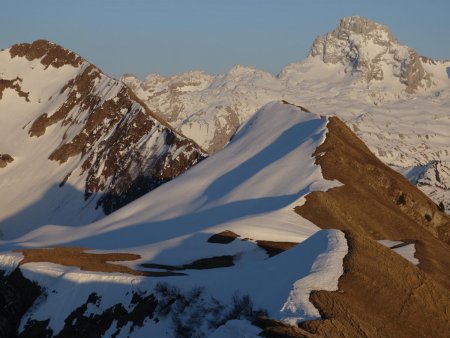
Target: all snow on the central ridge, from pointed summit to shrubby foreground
{"type": "Point", "coordinates": [249, 188]}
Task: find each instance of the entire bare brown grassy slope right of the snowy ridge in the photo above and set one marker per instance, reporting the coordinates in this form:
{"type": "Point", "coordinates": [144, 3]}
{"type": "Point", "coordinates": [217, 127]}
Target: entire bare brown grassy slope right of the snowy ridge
{"type": "Point", "coordinates": [380, 294]}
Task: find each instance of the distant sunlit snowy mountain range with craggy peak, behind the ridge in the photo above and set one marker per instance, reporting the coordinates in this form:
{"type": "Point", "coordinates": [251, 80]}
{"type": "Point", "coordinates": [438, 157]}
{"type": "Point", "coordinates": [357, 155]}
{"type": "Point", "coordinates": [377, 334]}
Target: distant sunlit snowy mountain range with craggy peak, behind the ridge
{"type": "Point", "coordinates": [396, 101]}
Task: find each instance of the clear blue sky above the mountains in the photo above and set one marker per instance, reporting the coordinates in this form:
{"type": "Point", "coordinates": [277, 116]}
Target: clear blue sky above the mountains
{"type": "Point", "coordinates": [172, 36]}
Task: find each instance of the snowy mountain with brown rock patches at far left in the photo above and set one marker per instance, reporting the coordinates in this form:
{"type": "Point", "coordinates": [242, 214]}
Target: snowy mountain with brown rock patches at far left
{"type": "Point", "coordinates": [78, 141]}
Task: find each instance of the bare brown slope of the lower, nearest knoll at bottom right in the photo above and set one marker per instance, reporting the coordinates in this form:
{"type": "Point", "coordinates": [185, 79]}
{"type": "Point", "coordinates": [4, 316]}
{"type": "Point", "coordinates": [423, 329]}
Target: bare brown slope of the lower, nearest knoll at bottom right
{"type": "Point", "coordinates": [381, 295]}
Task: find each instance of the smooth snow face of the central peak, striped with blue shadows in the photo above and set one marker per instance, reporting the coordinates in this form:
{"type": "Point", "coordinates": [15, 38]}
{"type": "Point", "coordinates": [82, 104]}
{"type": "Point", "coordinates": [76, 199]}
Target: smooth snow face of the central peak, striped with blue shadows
{"type": "Point", "coordinates": [248, 187]}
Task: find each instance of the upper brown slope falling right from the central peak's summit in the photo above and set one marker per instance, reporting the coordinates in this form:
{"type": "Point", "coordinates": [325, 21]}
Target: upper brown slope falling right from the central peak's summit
{"type": "Point", "coordinates": [346, 158]}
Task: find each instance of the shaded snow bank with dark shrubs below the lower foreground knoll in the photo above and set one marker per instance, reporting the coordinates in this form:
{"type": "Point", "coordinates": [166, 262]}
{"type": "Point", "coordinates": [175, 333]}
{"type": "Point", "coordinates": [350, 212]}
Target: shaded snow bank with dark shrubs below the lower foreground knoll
{"type": "Point", "coordinates": [279, 287]}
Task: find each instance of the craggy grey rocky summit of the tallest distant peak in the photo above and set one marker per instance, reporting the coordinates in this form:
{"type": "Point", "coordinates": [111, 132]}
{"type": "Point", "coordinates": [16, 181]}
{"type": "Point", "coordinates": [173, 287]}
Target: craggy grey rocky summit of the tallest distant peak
{"type": "Point", "coordinates": [367, 47]}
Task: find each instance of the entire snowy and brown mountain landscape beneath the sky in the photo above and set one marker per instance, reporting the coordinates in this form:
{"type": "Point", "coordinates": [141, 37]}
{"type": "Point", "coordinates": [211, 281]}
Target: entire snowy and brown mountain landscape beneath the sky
{"type": "Point", "coordinates": [314, 203]}
